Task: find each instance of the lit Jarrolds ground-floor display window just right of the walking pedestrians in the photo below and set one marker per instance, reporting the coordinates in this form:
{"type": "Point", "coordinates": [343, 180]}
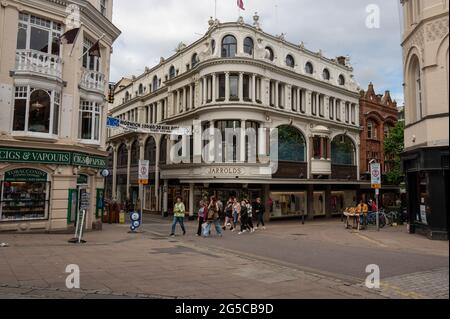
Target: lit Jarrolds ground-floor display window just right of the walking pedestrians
{"type": "Point", "coordinates": [288, 204]}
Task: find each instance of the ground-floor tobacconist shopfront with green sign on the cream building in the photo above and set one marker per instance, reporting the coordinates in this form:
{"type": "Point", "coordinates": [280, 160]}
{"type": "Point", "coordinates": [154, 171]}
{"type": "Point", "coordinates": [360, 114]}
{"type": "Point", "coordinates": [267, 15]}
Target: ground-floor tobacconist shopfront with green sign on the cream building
{"type": "Point", "coordinates": [40, 189]}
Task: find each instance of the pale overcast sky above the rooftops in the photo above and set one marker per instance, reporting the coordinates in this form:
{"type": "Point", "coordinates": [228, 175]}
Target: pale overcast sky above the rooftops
{"type": "Point", "coordinates": [153, 28]}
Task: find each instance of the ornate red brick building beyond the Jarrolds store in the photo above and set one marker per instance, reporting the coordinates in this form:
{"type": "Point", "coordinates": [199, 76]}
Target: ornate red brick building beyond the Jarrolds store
{"type": "Point", "coordinates": [378, 114]}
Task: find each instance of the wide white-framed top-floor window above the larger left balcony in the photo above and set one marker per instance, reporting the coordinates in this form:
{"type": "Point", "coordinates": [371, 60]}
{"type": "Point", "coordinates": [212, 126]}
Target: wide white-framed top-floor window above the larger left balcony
{"type": "Point", "coordinates": [38, 34]}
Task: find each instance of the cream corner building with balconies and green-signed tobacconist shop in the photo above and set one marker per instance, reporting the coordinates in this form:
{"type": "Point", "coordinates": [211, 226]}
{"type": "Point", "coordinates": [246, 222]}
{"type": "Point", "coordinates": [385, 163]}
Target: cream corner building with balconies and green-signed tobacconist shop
{"type": "Point", "coordinates": [52, 112]}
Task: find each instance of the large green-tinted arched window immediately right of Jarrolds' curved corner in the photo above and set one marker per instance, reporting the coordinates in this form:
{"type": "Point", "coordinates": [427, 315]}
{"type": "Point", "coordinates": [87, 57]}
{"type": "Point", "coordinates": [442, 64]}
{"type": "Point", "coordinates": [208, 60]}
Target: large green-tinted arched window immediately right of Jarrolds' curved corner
{"type": "Point", "coordinates": [292, 144]}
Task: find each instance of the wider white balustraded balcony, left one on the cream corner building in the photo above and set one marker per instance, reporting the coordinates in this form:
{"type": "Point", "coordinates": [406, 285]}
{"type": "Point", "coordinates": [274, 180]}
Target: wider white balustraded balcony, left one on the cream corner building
{"type": "Point", "coordinates": [38, 63]}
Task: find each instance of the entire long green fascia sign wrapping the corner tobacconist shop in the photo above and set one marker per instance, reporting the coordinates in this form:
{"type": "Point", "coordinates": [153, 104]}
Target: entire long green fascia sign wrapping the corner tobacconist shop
{"type": "Point", "coordinates": [13, 155]}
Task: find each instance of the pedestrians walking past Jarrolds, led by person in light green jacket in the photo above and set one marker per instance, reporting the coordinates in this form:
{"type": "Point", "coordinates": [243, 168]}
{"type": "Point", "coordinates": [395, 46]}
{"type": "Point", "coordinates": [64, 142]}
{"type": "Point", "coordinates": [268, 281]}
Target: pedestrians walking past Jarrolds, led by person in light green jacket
{"type": "Point", "coordinates": [233, 214]}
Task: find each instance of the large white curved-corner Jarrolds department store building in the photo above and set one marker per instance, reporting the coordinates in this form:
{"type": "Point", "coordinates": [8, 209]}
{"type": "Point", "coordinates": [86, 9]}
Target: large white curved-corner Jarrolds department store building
{"type": "Point", "coordinates": [237, 76]}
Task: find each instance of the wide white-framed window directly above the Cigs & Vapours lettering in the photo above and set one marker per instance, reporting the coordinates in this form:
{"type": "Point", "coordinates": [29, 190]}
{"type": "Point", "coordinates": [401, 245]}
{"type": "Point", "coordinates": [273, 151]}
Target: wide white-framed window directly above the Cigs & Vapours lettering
{"type": "Point", "coordinates": [36, 110]}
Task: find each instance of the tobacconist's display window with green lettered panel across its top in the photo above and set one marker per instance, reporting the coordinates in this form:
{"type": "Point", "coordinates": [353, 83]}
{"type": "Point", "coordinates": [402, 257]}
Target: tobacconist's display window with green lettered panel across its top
{"type": "Point", "coordinates": [25, 195]}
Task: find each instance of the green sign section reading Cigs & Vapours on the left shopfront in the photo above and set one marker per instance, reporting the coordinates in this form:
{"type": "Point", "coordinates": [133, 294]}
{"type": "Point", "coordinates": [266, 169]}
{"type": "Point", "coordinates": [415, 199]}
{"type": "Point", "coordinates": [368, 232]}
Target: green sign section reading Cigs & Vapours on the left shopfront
{"type": "Point", "coordinates": [34, 156]}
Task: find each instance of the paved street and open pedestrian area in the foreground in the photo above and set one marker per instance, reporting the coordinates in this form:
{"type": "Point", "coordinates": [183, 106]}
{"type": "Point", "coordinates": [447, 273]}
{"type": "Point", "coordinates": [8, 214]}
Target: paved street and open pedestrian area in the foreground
{"type": "Point", "coordinates": [318, 260]}
